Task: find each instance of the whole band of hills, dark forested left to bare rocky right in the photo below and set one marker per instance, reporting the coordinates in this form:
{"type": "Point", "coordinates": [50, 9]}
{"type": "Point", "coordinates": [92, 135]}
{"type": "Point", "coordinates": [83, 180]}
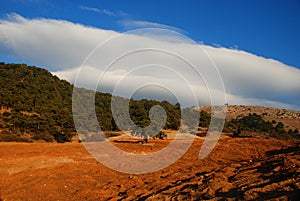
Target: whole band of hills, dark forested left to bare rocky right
{"type": "Point", "coordinates": [37, 106]}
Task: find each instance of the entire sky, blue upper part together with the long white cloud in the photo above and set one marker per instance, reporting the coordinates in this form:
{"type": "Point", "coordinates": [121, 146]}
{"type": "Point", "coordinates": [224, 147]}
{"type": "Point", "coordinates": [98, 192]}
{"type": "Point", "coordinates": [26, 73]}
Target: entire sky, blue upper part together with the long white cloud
{"type": "Point", "coordinates": [254, 46]}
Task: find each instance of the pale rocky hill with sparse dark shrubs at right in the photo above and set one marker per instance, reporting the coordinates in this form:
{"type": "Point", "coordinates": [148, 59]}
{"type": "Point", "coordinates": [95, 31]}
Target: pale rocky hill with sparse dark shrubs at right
{"type": "Point", "coordinates": [262, 121]}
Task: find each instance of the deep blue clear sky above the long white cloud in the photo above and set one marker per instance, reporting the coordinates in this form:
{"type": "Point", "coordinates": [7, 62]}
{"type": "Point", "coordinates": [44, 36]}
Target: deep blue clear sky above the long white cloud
{"type": "Point", "coordinates": [267, 28]}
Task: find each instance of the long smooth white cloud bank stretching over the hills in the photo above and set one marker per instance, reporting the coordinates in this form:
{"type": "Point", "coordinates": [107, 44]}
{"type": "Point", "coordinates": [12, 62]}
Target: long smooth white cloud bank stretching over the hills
{"type": "Point", "coordinates": [62, 47]}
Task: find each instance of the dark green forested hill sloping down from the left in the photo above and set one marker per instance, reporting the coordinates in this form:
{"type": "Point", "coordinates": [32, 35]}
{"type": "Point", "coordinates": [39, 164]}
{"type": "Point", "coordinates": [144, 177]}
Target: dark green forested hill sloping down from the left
{"type": "Point", "coordinates": [35, 105]}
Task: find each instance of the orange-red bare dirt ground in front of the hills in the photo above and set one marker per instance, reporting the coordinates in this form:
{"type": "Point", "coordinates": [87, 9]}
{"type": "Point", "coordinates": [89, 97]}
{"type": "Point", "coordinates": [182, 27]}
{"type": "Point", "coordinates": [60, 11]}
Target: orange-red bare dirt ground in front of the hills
{"type": "Point", "coordinates": [237, 169]}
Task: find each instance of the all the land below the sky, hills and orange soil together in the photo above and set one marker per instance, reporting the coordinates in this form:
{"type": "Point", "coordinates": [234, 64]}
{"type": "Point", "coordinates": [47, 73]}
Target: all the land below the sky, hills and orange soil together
{"type": "Point", "coordinates": [36, 106]}
